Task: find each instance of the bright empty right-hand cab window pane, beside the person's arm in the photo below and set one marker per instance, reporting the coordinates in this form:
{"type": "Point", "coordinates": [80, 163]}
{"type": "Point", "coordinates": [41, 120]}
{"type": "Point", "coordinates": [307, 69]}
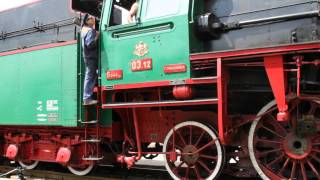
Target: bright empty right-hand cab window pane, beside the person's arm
{"type": "Point", "coordinates": [161, 8]}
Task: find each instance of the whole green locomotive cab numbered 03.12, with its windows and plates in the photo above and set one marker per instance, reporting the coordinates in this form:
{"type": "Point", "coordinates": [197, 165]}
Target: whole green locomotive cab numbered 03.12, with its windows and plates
{"type": "Point", "coordinates": [144, 51]}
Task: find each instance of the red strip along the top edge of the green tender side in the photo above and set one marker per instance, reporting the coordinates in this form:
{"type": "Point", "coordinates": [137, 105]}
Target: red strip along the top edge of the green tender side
{"type": "Point", "coordinates": [47, 46]}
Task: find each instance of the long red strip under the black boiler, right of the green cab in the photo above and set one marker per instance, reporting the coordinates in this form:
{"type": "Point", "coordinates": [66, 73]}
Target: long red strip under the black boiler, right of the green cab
{"type": "Point", "coordinates": [258, 51]}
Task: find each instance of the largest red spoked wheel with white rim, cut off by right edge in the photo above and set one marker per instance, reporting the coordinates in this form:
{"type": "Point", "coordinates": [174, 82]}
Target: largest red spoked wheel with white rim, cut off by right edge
{"type": "Point", "coordinates": [287, 150]}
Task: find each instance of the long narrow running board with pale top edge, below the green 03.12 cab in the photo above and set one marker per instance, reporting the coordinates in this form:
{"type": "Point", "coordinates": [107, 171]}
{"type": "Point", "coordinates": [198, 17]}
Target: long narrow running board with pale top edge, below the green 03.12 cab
{"type": "Point", "coordinates": [160, 103]}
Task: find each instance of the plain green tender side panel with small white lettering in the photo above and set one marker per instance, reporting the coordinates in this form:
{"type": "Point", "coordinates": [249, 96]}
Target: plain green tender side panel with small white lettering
{"type": "Point", "coordinates": [40, 87]}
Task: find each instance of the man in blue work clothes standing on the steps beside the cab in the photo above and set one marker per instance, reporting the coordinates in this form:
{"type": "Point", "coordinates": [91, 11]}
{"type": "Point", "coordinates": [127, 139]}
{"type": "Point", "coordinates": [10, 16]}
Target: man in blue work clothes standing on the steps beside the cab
{"type": "Point", "coordinates": [89, 38]}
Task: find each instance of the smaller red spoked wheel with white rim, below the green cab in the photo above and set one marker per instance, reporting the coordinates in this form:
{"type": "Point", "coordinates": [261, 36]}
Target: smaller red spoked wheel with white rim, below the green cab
{"type": "Point", "coordinates": [199, 153]}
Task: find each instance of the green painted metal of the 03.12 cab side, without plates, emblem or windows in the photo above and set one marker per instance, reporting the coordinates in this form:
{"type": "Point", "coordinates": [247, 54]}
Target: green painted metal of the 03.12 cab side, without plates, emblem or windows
{"type": "Point", "coordinates": [167, 40]}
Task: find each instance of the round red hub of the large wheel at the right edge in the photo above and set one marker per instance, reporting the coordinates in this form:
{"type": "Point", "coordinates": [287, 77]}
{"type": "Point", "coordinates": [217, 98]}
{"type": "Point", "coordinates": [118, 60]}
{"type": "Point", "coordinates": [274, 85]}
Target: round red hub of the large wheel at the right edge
{"type": "Point", "coordinates": [296, 147]}
